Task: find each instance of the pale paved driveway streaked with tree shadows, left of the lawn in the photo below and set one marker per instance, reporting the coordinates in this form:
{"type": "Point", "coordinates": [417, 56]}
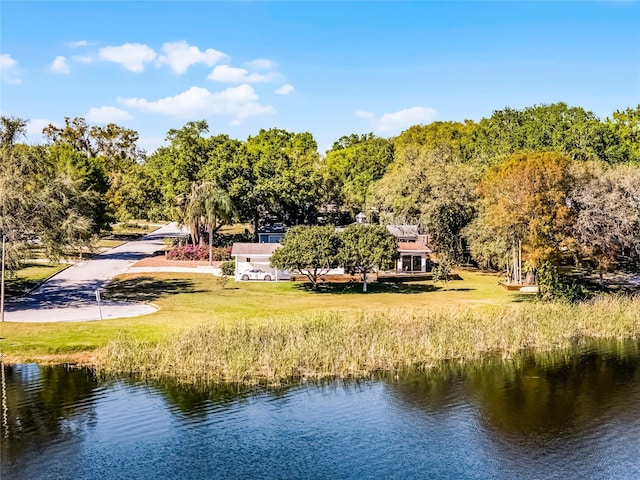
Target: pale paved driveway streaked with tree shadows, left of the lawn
{"type": "Point", "coordinates": [71, 294]}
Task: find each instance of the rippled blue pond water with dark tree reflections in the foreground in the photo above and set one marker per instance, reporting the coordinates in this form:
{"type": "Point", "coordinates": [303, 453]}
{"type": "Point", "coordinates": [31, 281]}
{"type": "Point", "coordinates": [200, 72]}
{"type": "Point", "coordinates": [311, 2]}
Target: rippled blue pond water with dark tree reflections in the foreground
{"type": "Point", "coordinates": [568, 415]}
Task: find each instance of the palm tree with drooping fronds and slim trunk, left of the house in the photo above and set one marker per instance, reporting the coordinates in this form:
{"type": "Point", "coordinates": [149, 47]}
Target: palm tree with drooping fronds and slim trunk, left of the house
{"type": "Point", "coordinates": [211, 207]}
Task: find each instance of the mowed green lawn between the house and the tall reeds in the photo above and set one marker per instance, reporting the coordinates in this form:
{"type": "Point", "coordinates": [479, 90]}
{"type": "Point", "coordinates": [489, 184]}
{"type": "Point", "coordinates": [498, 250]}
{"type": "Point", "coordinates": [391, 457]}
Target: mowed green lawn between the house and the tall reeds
{"type": "Point", "coordinates": [187, 300]}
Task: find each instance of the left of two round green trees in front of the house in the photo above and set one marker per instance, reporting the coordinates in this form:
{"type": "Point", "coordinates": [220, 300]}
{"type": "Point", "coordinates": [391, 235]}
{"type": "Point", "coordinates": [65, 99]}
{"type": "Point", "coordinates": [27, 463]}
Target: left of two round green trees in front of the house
{"type": "Point", "coordinates": [308, 250]}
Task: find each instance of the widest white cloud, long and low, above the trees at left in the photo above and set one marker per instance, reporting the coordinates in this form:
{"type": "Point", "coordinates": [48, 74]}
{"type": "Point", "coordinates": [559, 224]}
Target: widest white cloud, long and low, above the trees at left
{"type": "Point", "coordinates": [240, 102]}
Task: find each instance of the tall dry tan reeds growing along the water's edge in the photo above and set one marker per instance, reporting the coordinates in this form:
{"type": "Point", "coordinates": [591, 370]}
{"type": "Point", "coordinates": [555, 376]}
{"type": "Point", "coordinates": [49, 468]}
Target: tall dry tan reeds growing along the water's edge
{"type": "Point", "coordinates": [339, 345]}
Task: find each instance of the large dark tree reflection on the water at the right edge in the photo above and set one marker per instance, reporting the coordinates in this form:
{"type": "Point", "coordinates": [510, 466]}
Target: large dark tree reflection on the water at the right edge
{"type": "Point", "coordinates": [544, 395]}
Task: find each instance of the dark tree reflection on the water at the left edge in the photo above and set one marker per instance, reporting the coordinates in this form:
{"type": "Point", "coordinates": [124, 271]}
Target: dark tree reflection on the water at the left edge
{"type": "Point", "coordinates": [38, 404]}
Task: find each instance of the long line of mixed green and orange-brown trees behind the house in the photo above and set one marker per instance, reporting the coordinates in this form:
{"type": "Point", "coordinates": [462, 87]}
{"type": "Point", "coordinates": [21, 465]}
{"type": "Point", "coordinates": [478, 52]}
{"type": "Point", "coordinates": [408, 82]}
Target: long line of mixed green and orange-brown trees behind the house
{"type": "Point", "coordinates": [555, 179]}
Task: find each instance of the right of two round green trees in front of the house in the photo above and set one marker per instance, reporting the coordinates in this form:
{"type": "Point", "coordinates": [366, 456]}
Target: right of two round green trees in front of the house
{"type": "Point", "coordinates": [367, 248]}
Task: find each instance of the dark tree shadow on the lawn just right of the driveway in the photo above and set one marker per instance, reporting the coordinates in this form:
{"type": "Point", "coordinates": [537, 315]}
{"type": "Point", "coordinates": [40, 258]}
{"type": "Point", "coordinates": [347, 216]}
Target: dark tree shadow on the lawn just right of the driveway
{"type": "Point", "coordinates": [146, 289]}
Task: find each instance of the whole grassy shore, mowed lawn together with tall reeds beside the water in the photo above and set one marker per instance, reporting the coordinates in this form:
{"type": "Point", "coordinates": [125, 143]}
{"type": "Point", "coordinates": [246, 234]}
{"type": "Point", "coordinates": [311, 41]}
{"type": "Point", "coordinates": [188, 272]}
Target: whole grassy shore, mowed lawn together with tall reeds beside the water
{"type": "Point", "coordinates": [254, 332]}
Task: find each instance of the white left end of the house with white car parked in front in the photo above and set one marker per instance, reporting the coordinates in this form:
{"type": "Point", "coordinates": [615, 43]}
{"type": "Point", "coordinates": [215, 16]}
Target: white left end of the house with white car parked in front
{"type": "Point", "coordinates": [253, 262]}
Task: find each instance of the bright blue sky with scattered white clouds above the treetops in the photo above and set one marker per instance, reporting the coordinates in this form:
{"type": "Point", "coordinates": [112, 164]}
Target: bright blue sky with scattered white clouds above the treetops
{"type": "Point", "coordinates": [330, 68]}
